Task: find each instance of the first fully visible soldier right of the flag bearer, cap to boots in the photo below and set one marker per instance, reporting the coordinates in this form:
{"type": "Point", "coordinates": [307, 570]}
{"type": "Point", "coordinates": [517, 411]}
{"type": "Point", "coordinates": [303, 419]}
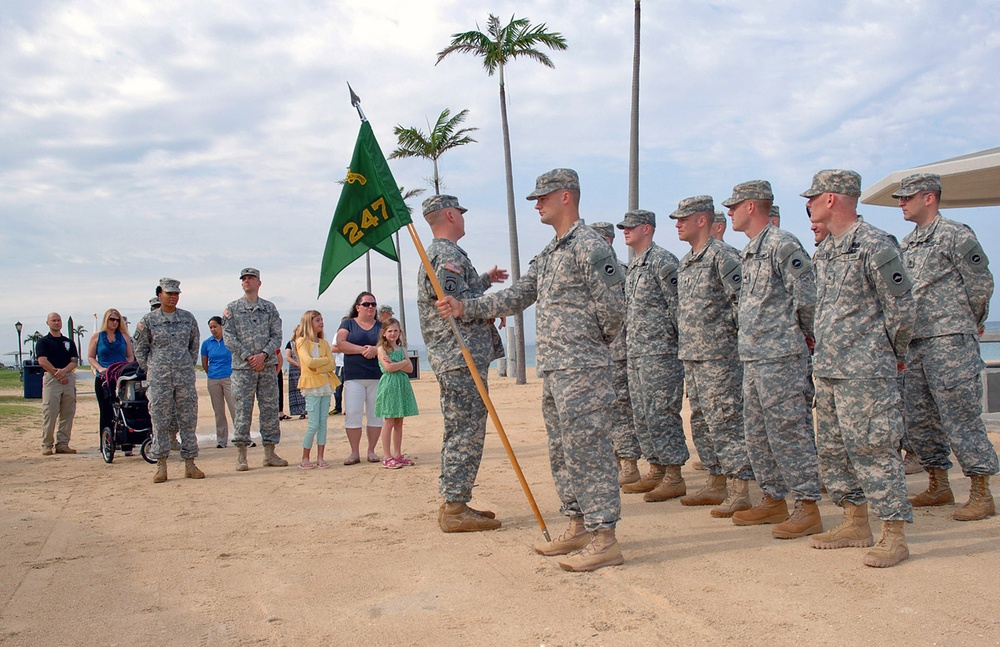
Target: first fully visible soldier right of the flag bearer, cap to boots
{"type": "Point", "coordinates": [655, 375]}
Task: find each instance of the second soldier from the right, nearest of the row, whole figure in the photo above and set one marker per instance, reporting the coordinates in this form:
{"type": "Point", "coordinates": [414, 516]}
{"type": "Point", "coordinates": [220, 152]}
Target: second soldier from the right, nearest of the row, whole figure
{"type": "Point", "coordinates": [864, 318]}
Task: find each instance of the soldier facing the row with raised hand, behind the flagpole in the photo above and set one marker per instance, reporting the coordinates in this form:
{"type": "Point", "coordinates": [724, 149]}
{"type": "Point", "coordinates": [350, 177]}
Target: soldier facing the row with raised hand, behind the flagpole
{"type": "Point", "coordinates": [461, 406]}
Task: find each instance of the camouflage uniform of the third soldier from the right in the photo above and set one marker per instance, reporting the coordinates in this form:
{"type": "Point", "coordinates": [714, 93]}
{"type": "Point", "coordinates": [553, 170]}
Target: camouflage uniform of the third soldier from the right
{"type": "Point", "coordinates": [777, 304]}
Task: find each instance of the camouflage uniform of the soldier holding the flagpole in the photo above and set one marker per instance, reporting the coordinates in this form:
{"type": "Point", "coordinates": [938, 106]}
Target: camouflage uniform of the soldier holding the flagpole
{"type": "Point", "coordinates": [575, 282]}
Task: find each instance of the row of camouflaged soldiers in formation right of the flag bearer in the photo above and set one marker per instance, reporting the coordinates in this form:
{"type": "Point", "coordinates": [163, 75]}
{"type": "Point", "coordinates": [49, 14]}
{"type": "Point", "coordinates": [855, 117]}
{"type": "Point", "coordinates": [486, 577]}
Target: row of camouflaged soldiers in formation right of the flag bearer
{"type": "Point", "coordinates": [895, 334]}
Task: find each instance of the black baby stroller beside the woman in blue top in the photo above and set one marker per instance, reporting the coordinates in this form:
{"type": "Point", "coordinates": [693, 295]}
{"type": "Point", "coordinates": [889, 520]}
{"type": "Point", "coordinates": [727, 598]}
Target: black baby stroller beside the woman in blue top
{"type": "Point", "coordinates": [132, 426]}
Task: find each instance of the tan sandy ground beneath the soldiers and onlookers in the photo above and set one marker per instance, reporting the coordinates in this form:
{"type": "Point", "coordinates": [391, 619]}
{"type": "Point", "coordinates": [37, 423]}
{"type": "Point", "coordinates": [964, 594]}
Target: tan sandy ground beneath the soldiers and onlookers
{"type": "Point", "coordinates": [96, 554]}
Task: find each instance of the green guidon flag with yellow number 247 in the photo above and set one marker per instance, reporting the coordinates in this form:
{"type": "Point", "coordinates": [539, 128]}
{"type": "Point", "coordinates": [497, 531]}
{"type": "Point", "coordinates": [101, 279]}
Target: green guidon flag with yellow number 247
{"type": "Point", "coordinates": [370, 210]}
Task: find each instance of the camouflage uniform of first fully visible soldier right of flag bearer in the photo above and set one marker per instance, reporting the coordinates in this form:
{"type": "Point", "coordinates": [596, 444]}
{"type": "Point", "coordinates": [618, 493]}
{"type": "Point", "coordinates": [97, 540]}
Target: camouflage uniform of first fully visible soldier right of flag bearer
{"type": "Point", "coordinates": [655, 375]}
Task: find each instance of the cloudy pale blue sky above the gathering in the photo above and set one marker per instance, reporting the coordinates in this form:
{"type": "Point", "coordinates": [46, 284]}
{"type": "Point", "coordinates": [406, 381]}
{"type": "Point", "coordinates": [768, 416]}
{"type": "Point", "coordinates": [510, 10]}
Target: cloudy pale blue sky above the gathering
{"type": "Point", "coordinates": [191, 139]}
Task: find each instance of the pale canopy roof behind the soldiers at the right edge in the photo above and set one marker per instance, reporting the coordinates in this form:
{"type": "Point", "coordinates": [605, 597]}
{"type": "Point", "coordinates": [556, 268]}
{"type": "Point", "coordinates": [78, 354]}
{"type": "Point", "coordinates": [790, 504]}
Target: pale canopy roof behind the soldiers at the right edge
{"type": "Point", "coordinates": [971, 180]}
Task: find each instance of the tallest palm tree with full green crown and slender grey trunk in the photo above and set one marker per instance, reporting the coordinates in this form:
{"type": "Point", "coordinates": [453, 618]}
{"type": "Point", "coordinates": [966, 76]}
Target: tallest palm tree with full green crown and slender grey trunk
{"type": "Point", "coordinates": [496, 47]}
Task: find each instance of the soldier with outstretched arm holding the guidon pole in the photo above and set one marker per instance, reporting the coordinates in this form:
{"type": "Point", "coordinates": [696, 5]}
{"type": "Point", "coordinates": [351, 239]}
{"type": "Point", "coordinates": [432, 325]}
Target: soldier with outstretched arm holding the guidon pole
{"type": "Point", "coordinates": [575, 281]}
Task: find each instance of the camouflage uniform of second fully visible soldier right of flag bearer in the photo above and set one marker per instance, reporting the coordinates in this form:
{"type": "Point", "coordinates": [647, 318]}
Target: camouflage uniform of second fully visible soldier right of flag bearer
{"type": "Point", "coordinates": [708, 288]}
